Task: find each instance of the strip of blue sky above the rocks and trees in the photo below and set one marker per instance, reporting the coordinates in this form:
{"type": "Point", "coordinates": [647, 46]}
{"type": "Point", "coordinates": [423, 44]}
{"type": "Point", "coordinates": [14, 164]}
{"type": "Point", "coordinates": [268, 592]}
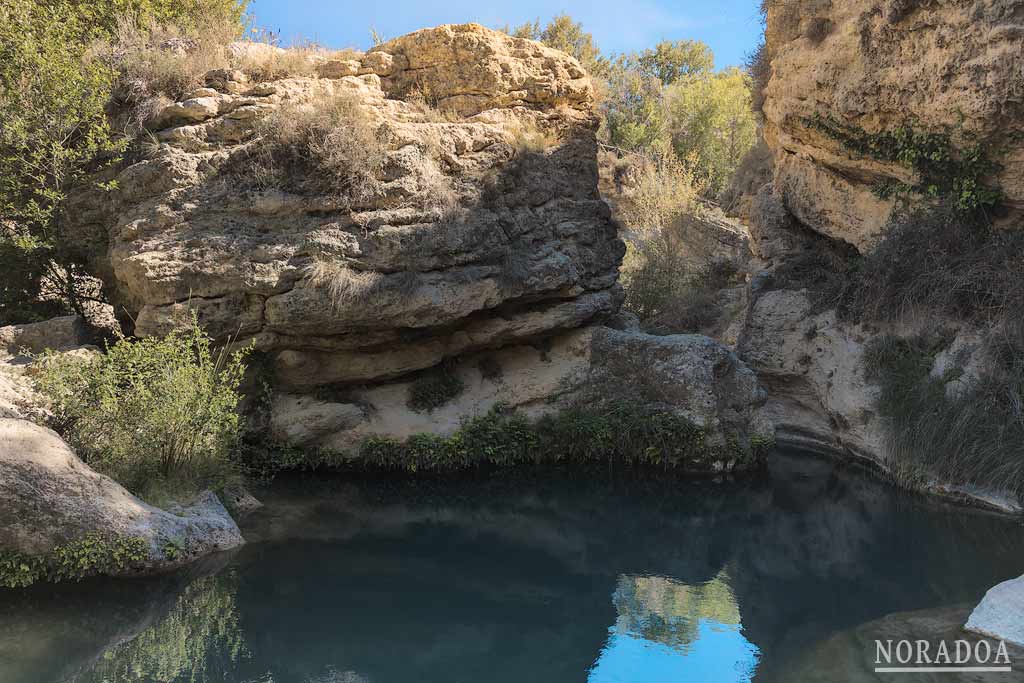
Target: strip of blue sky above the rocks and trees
{"type": "Point", "coordinates": [733, 28]}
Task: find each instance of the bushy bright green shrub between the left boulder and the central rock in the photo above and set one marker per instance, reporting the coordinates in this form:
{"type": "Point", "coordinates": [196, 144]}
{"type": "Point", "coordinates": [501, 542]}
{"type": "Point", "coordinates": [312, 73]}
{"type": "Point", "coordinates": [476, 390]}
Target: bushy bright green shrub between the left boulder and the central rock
{"type": "Point", "coordinates": [157, 415]}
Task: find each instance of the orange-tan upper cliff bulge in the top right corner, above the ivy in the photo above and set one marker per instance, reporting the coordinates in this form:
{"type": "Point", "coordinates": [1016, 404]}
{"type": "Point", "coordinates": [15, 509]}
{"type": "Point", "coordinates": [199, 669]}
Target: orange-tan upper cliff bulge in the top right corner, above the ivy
{"type": "Point", "coordinates": [879, 66]}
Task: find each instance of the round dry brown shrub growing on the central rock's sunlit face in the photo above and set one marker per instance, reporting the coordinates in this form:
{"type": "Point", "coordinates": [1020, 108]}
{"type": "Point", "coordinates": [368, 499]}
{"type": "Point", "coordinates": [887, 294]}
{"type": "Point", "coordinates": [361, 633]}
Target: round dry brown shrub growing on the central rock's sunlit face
{"type": "Point", "coordinates": [329, 145]}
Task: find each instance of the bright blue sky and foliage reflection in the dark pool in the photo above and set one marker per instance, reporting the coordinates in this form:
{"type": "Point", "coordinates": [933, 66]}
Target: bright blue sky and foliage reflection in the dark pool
{"type": "Point", "coordinates": [668, 631]}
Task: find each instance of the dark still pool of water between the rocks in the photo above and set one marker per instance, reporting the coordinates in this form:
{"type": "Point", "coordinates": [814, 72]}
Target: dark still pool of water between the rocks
{"type": "Point", "coordinates": [535, 576]}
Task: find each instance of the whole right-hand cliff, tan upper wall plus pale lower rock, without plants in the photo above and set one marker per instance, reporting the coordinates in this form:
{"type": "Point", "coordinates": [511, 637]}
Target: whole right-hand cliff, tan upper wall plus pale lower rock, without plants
{"type": "Point", "coordinates": [867, 68]}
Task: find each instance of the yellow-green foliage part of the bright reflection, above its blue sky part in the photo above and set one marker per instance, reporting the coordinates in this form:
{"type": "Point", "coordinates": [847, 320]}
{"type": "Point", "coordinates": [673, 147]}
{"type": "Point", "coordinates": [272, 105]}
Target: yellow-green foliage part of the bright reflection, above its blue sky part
{"type": "Point", "coordinates": [668, 612]}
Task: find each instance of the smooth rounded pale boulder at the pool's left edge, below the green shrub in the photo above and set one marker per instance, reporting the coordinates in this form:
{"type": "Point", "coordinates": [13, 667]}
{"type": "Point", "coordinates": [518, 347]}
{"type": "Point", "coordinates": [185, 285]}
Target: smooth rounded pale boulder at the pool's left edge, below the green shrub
{"type": "Point", "coordinates": [50, 498]}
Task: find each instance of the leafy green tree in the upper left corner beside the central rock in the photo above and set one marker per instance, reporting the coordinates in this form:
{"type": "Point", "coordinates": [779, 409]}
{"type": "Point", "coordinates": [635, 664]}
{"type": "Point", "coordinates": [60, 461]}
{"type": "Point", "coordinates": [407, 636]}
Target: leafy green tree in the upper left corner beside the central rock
{"type": "Point", "coordinates": [56, 134]}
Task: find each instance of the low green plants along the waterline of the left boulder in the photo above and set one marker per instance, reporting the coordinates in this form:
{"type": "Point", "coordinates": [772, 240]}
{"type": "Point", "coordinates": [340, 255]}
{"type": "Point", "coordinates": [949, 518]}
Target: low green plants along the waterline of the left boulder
{"type": "Point", "coordinates": [92, 556]}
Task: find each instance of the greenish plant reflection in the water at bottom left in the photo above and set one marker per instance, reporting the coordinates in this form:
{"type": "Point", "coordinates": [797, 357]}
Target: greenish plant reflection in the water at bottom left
{"type": "Point", "coordinates": [199, 641]}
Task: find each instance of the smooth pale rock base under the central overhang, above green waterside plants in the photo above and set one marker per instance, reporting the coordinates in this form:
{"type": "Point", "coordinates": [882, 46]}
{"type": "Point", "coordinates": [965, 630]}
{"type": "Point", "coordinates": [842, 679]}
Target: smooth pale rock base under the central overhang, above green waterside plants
{"type": "Point", "coordinates": [689, 375]}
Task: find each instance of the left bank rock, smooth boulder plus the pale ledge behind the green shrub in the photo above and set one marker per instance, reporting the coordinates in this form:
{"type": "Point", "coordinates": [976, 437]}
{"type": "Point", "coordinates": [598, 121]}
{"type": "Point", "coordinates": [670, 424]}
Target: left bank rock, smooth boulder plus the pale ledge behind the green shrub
{"type": "Point", "coordinates": [51, 499]}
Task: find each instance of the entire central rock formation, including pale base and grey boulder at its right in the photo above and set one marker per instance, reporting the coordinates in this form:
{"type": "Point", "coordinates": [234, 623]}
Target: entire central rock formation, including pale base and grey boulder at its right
{"type": "Point", "coordinates": [482, 233]}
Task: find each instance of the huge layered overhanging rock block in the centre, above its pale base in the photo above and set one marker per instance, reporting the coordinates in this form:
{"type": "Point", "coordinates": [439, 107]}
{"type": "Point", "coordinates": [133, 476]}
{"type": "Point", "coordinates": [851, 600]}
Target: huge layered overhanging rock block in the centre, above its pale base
{"type": "Point", "coordinates": [484, 228]}
